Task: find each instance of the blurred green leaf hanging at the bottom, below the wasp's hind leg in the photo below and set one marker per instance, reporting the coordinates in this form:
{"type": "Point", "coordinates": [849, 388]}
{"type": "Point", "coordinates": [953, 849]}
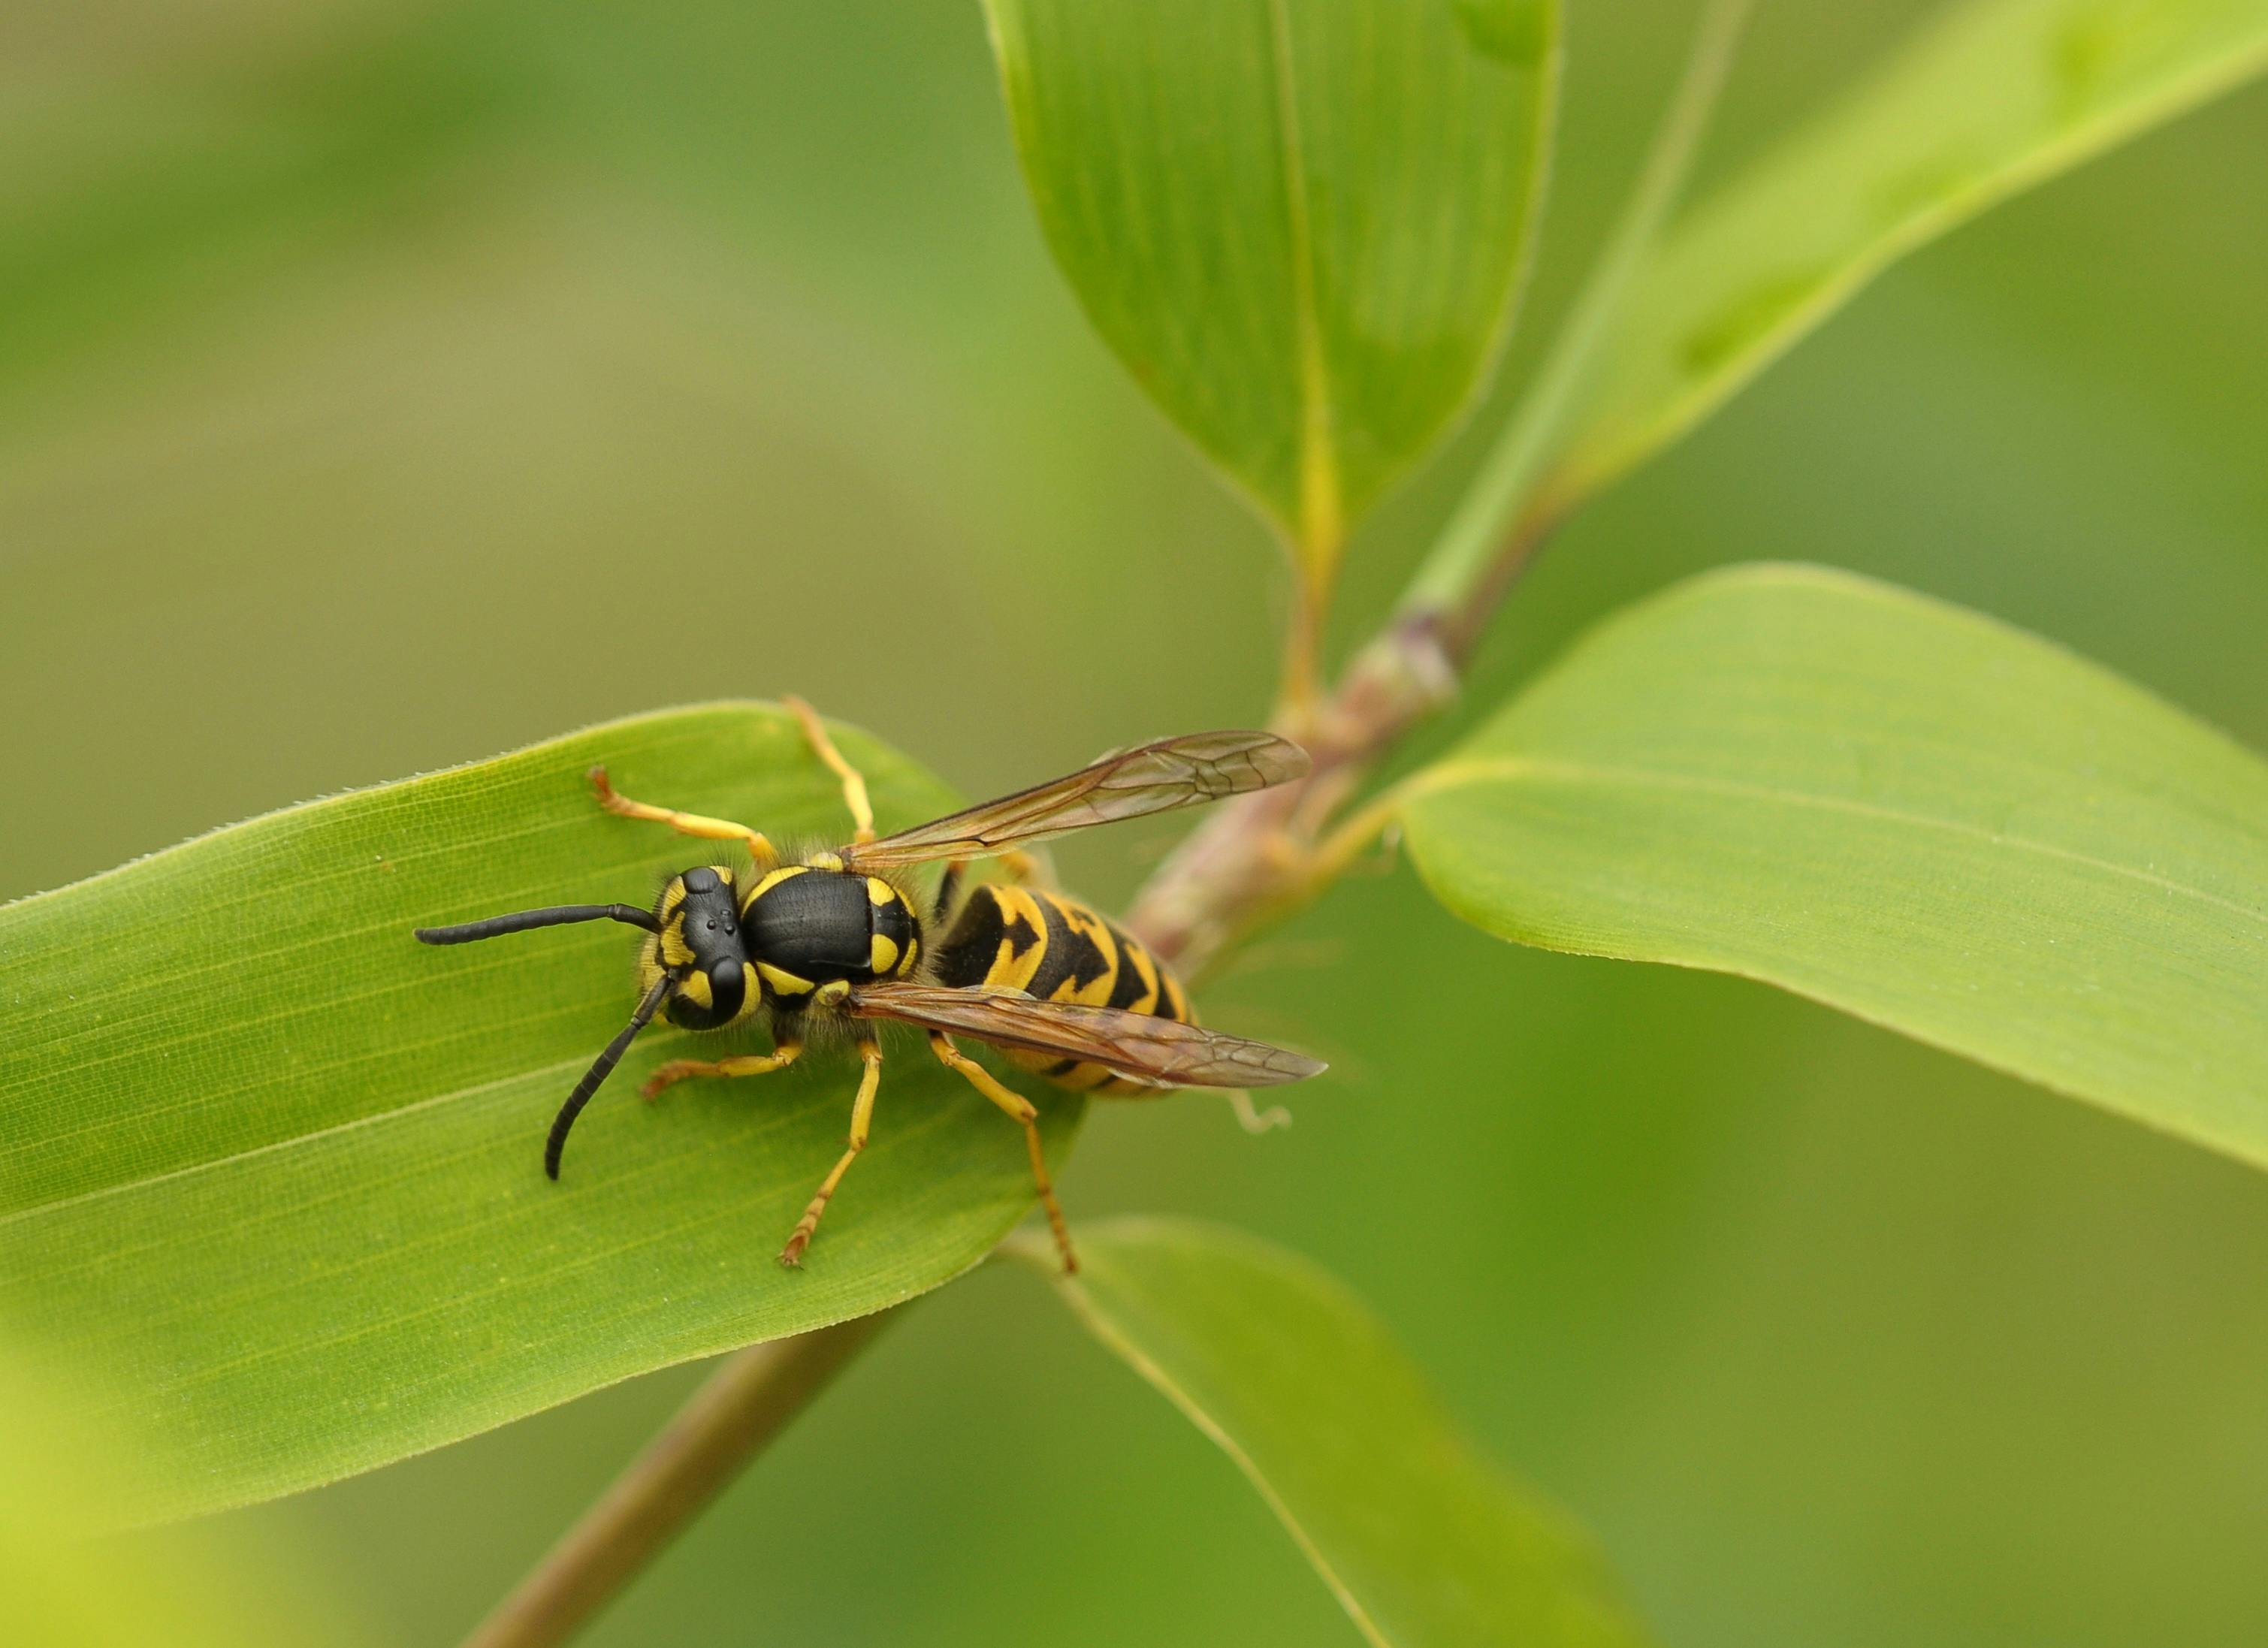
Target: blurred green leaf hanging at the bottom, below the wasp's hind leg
{"type": "Point", "coordinates": [1419, 1538]}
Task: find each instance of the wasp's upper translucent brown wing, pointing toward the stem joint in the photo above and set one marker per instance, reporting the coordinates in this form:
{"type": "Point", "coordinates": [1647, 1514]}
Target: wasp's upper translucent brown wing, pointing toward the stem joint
{"type": "Point", "coordinates": [1122, 785]}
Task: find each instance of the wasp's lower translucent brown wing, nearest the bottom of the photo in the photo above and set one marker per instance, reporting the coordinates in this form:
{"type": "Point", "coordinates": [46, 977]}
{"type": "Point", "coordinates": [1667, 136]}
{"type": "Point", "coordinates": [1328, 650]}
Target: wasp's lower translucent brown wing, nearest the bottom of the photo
{"type": "Point", "coordinates": [1137, 1046]}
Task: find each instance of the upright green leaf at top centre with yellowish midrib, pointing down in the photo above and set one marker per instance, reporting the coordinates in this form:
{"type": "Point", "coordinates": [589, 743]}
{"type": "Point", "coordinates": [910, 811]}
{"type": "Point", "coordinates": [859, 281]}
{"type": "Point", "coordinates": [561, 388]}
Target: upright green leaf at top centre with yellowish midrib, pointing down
{"type": "Point", "coordinates": [1301, 226]}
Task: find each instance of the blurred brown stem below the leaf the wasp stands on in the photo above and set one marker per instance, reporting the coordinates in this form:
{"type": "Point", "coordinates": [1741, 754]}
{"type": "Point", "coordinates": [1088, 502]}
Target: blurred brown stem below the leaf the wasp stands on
{"type": "Point", "coordinates": [743, 1407]}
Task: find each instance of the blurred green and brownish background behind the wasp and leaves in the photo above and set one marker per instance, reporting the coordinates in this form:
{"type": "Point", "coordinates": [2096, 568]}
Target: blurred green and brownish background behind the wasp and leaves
{"type": "Point", "coordinates": [391, 384]}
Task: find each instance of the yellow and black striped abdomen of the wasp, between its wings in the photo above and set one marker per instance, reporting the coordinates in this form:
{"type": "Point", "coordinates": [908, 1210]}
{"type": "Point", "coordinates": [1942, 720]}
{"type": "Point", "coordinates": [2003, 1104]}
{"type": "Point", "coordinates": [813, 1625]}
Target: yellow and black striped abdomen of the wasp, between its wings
{"type": "Point", "coordinates": [1058, 951]}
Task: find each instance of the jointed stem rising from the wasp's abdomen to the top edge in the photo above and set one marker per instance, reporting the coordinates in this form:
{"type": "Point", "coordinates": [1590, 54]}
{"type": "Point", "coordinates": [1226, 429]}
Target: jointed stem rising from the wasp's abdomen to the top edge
{"type": "Point", "coordinates": [1262, 856]}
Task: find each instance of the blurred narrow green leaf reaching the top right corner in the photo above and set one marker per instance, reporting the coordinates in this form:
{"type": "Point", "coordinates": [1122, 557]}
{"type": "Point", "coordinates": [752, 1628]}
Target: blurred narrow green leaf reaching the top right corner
{"type": "Point", "coordinates": [1988, 101]}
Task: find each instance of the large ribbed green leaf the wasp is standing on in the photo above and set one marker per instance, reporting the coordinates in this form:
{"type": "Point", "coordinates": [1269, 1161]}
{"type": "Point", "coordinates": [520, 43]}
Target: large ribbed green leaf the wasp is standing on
{"type": "Point", "coordinates": [278, 1169]}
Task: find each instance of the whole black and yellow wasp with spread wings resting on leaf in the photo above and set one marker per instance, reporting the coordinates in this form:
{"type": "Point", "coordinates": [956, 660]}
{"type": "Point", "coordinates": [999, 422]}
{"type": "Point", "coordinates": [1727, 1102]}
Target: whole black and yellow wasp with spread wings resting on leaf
{"type": "Point", "coordinates": [838, 940]}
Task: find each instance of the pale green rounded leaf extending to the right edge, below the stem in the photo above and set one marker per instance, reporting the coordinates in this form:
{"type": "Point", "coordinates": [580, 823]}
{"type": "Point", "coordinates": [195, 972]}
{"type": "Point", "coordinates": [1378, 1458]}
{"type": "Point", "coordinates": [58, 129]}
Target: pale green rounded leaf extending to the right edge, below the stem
{"type": "Point", "coordinates": [1904, 810]}
